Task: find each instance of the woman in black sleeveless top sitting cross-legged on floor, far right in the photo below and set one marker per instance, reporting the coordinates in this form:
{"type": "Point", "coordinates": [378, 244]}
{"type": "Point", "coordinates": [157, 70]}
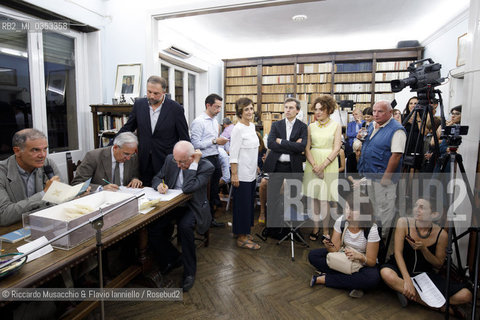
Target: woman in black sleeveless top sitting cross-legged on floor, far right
{"type": "Point", "coordinates": [419, 246]}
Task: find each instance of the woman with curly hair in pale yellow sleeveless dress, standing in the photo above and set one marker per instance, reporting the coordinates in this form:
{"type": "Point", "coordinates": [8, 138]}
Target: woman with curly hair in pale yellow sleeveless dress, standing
{"type": "Point", "coordinates": [320, 180]}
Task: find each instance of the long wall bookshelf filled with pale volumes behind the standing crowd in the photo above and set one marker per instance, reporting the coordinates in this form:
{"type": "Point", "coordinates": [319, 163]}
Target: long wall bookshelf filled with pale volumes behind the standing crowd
{"type": "Point", "coordinates": [361, 76]}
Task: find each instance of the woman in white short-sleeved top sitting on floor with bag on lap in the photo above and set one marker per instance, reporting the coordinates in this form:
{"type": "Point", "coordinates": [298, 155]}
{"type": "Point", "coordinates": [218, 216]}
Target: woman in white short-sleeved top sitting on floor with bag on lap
{"type": "Point", "coordinates": [361, 240]}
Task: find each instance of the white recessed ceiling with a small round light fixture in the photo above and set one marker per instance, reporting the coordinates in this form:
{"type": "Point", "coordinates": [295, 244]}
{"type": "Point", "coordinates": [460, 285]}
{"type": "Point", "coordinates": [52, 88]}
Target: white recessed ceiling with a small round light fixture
{"type": "Point", "coordinates": [332, 25]}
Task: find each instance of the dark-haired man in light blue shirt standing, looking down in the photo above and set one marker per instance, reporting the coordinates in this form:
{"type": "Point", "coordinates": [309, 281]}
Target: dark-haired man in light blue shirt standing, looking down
{"type": "Point", "coordinates": [204, 134]}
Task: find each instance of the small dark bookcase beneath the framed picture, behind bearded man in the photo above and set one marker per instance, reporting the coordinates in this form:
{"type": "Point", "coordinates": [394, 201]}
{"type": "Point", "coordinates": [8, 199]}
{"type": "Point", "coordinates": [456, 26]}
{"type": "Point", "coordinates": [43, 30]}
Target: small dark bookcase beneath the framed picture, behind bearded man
{"type": "Point", "coordinates": [107, 120]}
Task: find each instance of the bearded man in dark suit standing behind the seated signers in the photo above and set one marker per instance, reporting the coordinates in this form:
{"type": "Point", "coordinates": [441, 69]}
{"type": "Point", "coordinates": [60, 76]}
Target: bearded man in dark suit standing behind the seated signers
{"type": "Point", "coordinates": [160, 123]}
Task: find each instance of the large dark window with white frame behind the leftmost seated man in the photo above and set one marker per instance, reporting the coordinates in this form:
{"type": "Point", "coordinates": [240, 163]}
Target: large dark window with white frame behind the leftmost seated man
{"type": "Point", "coordinates": [38, 86]}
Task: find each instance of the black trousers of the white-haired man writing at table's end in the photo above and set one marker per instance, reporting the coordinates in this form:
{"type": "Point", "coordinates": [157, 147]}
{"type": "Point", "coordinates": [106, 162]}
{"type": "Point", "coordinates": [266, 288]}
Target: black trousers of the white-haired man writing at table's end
{"type": "Point", "coordinates": [160, 232]}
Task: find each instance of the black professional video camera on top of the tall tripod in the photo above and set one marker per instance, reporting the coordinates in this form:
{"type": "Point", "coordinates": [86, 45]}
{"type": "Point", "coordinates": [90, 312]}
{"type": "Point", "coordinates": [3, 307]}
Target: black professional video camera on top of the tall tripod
{"type": "Point", "coordinates": [420, 77]}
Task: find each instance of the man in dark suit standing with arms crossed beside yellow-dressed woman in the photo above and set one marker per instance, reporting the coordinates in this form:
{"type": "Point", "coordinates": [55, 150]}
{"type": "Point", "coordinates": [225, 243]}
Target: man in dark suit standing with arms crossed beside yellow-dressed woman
{"type": "Point", "coordinates": [287, 140]}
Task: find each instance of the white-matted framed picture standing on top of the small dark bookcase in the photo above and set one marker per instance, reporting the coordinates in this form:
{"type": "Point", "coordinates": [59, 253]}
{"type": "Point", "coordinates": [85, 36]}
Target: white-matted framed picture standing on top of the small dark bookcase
{"type": "Point", "coordinates": [128, 82]}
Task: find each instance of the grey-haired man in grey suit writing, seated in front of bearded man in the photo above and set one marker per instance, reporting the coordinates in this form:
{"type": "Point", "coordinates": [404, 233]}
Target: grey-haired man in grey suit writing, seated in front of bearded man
{"type": "Point", "coordinates": [111, 167]}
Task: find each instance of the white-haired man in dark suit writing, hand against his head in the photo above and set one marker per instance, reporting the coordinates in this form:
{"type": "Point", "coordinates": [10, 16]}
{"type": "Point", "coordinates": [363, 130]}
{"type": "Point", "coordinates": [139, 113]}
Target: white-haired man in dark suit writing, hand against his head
{"type": "Point", "coordinates": [186, 170]}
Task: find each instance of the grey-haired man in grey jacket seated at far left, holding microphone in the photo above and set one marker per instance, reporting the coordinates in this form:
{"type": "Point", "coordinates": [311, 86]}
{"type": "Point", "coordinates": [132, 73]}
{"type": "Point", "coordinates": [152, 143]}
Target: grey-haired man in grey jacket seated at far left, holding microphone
{"type": "Point", "coordinates": [23, 180]}
